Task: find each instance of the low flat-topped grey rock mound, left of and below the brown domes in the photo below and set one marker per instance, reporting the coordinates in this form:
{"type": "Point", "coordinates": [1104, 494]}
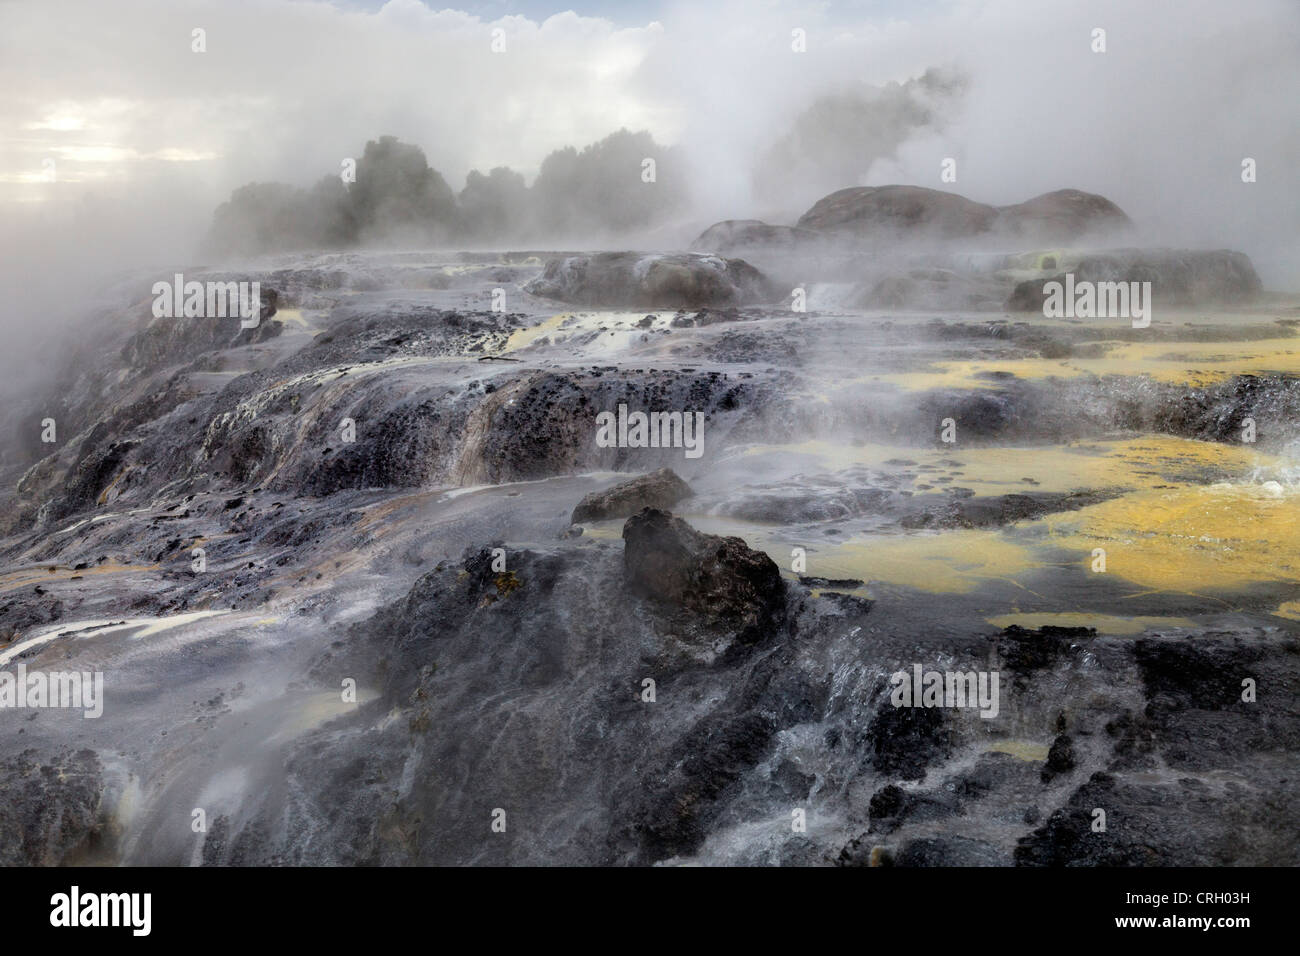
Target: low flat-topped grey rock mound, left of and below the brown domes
{"type": "Point", "coordinates": [636, 280]}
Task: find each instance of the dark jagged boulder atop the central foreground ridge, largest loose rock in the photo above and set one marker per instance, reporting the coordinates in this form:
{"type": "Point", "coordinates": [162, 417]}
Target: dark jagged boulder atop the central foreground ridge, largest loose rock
{"type": "Point", "coordinates": [668, 561]}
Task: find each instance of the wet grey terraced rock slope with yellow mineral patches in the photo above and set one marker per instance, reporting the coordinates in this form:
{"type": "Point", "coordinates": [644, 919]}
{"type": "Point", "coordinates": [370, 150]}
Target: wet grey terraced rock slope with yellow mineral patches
{"type": "Point", "coordinates": [331, 578]}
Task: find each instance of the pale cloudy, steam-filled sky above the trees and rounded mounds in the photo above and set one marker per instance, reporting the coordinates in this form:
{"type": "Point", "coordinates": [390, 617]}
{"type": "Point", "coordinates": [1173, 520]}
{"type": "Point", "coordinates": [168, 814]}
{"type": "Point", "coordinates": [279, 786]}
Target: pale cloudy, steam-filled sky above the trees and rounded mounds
{"type": "Point", "coordinates": [112, 126]}
